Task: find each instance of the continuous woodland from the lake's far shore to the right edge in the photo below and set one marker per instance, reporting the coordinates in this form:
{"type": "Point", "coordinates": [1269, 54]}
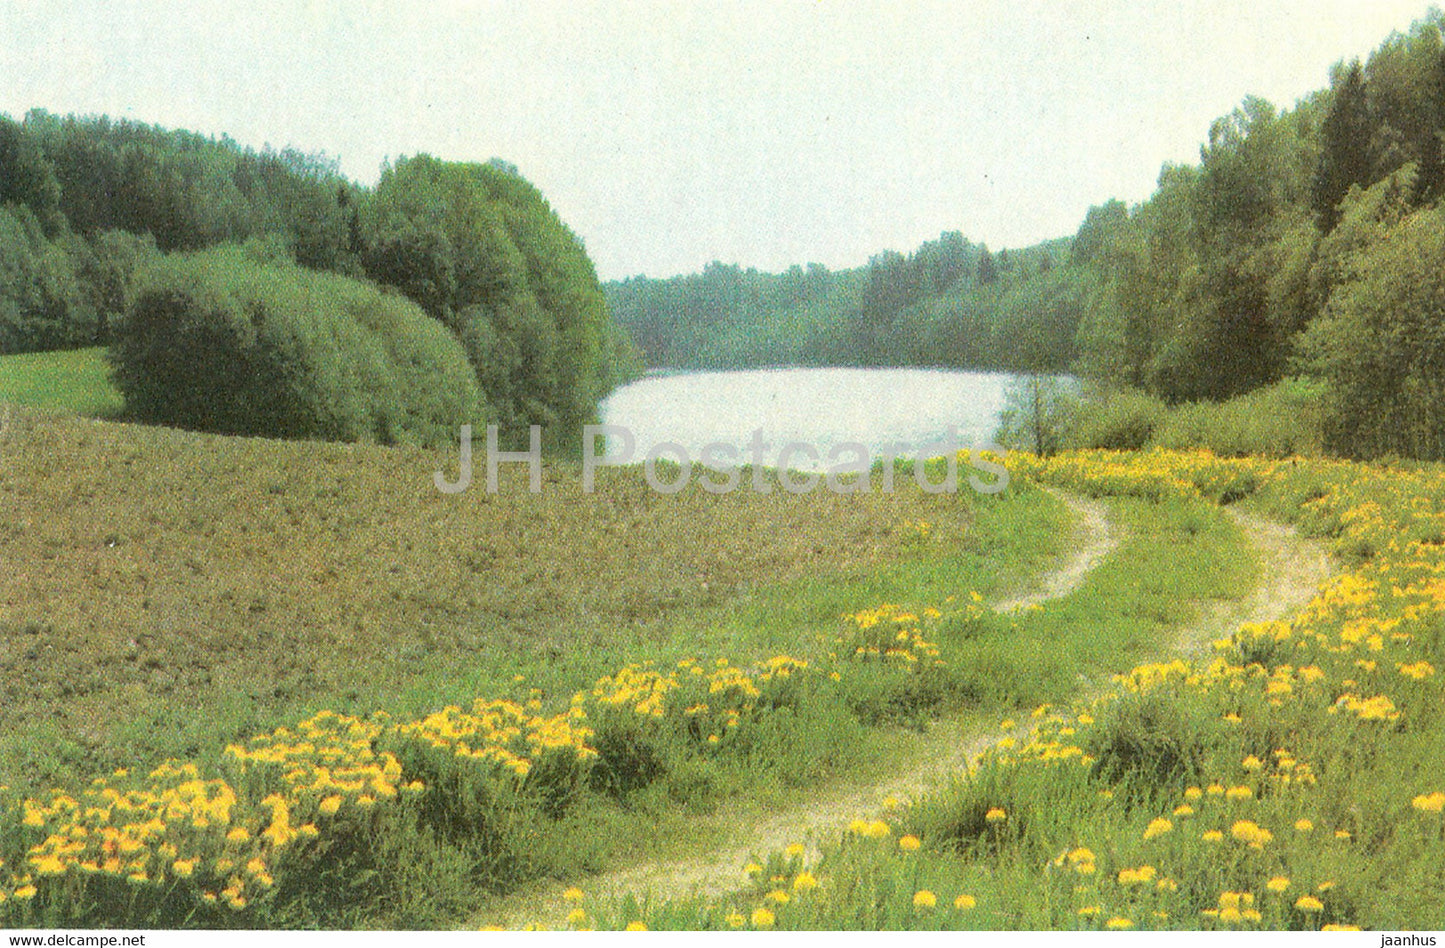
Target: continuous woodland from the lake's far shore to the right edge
{"type": "Point", "coordinates": [1307, 244]}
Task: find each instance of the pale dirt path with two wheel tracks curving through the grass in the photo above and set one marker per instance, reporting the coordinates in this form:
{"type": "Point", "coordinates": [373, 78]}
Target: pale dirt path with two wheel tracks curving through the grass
{"type": "Point", "coordinates": [1291, 570]}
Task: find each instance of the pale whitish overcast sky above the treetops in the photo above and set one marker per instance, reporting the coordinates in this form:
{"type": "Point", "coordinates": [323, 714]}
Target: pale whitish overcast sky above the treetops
{"type": "Point", "coordinates": [670, 135]}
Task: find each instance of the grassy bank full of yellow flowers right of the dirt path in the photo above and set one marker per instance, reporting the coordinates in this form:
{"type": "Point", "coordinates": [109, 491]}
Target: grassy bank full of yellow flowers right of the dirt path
{"type": "Point", "coordinates": [1290, 783]}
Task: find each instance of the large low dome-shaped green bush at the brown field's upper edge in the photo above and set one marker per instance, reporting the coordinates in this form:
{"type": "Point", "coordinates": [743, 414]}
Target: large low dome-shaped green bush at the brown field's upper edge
{"type": "Point", "coordinates": [222, 342]}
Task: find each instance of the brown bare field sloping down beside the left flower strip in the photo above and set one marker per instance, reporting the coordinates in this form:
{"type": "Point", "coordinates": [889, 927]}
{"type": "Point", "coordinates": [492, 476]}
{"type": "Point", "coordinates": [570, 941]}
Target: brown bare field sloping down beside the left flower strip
{"type": "Point", "coordinates": [164, 592]}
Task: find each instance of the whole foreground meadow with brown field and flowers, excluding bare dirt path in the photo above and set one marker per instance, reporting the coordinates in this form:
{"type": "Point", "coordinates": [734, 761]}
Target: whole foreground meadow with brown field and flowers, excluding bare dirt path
{"type": "Point", "coordinates": [282, 684]}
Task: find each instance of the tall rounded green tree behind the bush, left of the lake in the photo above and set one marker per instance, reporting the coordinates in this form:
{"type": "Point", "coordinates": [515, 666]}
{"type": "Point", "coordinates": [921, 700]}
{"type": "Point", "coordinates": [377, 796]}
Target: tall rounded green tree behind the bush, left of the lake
{"type": "Point", "coordinates": [480, 251]}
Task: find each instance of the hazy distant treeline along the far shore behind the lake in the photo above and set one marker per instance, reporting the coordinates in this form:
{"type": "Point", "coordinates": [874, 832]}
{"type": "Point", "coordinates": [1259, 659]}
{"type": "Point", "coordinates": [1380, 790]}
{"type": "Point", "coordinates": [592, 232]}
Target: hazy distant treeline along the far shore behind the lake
{"type": "Point", "coordinates": [950, 303]}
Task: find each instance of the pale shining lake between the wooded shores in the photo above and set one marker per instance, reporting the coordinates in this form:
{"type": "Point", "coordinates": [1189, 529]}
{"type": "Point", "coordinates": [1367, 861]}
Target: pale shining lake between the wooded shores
{"type": "Point", "coordinates": [820, 408]}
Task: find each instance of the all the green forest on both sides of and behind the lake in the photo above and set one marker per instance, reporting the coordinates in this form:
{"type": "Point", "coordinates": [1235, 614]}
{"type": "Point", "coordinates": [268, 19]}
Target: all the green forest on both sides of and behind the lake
{"type": "Point", "coordinates": [1303, 249]}
